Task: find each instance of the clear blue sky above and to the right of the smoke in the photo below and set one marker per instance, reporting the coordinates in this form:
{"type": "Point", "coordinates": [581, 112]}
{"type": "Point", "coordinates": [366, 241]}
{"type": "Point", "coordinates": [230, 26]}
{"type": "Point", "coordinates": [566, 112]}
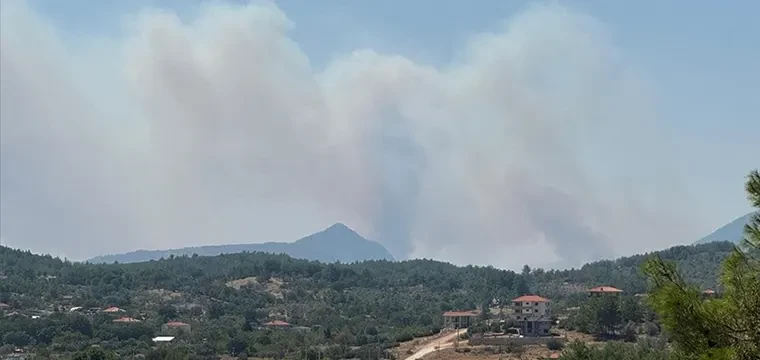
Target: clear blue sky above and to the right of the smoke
{"type": "Point", "coordinates": [697, 62]}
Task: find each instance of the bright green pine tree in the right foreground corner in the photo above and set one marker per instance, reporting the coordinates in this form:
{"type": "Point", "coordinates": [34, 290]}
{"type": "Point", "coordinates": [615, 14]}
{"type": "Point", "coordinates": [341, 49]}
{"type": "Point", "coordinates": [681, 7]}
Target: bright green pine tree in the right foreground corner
{"type": "Point", "coordinates": [724, 328]}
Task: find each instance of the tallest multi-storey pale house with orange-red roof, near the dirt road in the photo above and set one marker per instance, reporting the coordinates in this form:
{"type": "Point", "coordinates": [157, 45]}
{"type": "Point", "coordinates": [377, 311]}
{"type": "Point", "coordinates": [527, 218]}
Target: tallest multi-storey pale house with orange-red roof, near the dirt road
{"type": "Point", "coordinates": [532, 315]}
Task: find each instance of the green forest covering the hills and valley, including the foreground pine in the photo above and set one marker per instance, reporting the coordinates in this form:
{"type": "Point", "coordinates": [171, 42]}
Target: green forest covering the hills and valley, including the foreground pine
{"type": "Point", "coordinates": [361, 310]}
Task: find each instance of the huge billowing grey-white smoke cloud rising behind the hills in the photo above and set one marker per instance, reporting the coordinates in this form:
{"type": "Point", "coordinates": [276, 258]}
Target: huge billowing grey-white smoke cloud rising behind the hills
{"type": "Point", "coordinates": [219, 130]}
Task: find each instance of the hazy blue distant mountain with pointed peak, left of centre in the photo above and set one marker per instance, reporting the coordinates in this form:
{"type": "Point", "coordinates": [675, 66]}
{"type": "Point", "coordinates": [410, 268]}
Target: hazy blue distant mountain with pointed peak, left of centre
{"type": "Point", "coordinates": [336, 243]}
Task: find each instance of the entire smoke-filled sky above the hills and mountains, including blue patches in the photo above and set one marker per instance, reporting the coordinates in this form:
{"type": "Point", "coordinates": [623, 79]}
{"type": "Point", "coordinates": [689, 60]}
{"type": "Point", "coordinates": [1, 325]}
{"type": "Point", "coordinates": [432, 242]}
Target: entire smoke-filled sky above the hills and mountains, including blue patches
{"type": "Point", "coordinates": [481, 132]}
